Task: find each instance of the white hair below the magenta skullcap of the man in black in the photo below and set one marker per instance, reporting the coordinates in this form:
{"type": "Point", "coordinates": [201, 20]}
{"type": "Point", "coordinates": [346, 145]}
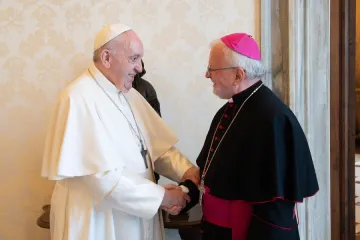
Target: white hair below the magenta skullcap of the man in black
{"type": "Point", "coordinates": [254, 69]}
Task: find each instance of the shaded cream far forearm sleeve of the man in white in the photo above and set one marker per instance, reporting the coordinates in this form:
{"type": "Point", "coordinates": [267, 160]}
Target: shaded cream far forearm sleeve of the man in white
{"type": "Point", "coordinates": [173, 164]}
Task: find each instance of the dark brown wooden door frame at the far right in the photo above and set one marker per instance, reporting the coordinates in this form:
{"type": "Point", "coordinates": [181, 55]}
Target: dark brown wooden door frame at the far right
{"type": "Point", "coordinates": [342, 118]}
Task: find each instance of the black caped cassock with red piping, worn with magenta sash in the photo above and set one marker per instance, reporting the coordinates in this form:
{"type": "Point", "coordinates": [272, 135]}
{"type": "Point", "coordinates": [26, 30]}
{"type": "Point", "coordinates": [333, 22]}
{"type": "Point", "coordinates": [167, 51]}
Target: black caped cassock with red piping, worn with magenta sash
{"type": "Point", "coordinates": [263, 159]}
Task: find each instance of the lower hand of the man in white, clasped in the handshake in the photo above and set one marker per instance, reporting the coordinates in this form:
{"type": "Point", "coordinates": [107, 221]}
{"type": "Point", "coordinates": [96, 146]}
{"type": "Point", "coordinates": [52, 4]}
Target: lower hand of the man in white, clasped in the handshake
{"type": "Point", "coordinates": [174, 196]}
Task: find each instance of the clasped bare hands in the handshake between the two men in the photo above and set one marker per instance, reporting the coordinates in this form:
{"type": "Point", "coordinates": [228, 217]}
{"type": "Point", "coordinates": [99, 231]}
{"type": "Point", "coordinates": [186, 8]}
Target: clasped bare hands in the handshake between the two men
{"type": "Point", "coordinates": [175, 199]}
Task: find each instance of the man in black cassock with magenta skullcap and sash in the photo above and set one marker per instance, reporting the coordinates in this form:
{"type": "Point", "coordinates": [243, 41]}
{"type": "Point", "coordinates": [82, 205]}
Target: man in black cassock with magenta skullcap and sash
{"type": "Point", "coordinates": [255, 163]}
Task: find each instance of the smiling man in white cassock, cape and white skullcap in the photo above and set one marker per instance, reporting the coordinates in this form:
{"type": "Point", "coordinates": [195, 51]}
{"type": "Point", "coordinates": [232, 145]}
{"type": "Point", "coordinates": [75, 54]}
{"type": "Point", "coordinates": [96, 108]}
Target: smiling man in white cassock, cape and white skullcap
{"type": "Point", "coordinates": [102, 148]}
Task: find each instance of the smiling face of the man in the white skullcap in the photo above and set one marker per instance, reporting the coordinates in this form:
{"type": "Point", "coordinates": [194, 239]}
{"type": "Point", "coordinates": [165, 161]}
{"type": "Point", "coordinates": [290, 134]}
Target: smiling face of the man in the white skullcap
{"type": "Point", "coordinates": [125, 62]}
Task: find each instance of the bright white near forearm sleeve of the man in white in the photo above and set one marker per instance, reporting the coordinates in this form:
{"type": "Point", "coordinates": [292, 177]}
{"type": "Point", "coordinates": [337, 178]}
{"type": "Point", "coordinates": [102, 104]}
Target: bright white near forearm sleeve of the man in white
{"type": "Point", "coordinates": [126, 192]}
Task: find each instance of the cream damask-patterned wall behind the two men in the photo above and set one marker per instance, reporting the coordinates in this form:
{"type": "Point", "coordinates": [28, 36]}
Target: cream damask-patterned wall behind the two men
{"type": "Point", "coordinates": [45, 44]}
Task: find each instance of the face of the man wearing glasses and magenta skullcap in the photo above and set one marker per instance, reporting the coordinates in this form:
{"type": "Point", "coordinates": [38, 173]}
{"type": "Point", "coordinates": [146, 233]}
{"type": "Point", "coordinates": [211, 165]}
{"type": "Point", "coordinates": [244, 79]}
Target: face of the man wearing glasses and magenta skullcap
{"type": "Point", "coordinates": [221, 74]}
